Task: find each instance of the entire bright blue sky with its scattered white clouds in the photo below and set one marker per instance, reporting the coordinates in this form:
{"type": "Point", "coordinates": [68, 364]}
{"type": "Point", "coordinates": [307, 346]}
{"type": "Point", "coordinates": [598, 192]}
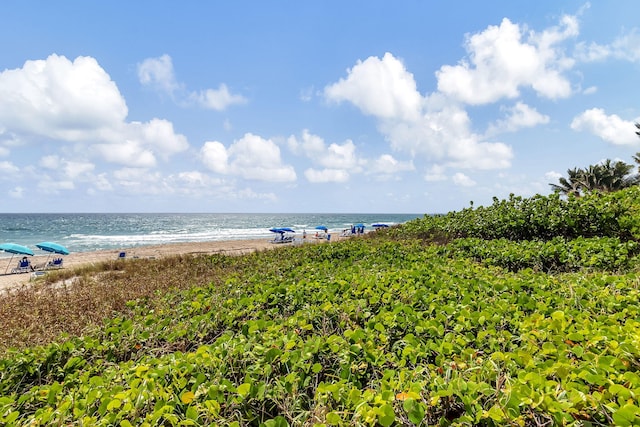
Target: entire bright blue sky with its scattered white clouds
{"type": "Point", "coordinates": [309, 107]}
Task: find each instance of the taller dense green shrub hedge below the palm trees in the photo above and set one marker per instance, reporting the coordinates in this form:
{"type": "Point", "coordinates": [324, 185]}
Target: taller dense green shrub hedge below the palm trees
{"type": "Point", "coordinates": [538, 218]}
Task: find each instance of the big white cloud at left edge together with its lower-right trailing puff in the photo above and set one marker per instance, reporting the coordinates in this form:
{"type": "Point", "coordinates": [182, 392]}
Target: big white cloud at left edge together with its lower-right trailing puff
{"type": "Point", "coordinates": [76, 101]}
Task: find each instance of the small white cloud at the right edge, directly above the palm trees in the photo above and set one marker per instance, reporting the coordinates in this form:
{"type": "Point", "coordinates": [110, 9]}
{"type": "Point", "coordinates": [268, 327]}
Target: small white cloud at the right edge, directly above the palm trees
{"type": "Point", "coordinates": [610, 128]}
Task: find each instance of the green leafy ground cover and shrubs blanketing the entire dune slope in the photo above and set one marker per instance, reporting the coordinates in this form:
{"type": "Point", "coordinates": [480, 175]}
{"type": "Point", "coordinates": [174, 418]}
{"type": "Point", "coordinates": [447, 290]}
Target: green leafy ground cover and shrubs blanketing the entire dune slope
{"type": "Point", "coordinates": [523, 313]}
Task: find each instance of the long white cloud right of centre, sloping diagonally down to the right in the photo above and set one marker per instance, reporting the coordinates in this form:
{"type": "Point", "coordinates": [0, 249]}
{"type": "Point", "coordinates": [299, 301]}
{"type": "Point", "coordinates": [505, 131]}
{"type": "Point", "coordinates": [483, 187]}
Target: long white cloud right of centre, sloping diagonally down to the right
{"type": "Point", "coordinates": [433, 126]}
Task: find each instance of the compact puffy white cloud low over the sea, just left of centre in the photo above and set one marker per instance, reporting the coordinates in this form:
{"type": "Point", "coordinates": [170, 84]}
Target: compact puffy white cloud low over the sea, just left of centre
{"type": "Point", "coordinates": [251, 157]}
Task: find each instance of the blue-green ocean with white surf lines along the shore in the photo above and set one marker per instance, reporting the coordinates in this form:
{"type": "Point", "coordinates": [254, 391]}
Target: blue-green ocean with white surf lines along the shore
{"type": "Point", "coordinates": [90, 232]}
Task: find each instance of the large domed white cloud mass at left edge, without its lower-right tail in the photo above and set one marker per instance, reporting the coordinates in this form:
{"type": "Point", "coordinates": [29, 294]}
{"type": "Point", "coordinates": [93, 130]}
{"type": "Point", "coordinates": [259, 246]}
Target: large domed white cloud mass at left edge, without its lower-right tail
{"type": "Point", "coordinates": [60, 99]}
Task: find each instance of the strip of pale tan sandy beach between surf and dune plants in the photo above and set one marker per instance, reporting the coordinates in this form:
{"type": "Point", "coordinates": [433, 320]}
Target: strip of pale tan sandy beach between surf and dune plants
{"type": "Point", "coordinates": [233, 247]}
